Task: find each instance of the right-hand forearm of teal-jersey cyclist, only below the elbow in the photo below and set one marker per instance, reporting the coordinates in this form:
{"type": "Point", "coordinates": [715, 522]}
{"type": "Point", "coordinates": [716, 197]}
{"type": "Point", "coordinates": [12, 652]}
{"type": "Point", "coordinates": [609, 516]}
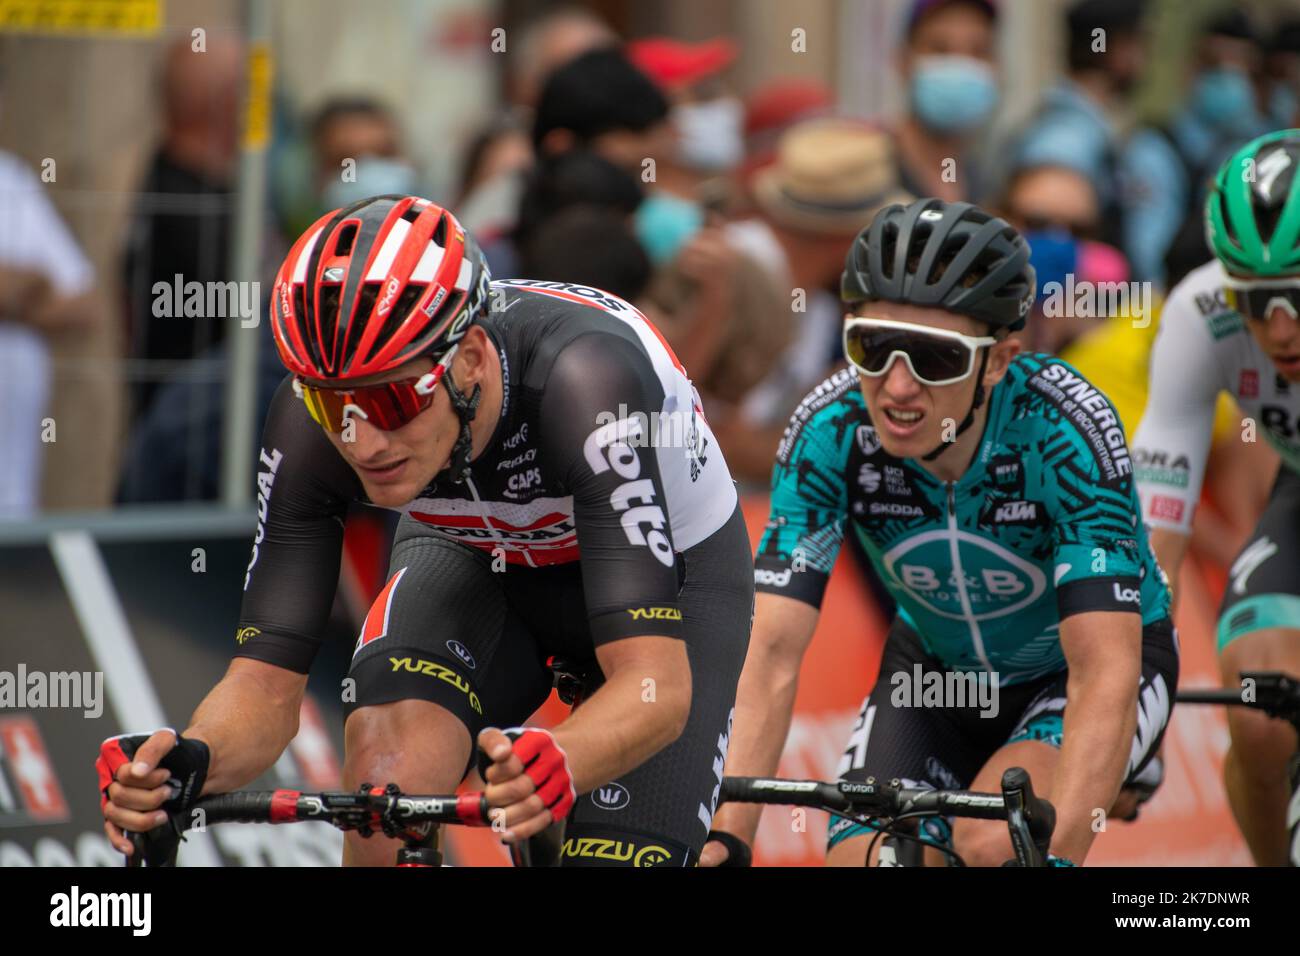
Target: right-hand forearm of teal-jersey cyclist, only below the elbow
{"type": "Point", "coordinates": [1099, 726]}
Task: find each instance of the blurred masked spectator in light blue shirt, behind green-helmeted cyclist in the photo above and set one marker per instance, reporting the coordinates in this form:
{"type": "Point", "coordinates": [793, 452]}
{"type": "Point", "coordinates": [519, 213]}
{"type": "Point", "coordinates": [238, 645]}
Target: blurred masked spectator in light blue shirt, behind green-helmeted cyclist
{"type": "Point", "coordinates": [1168, 168]}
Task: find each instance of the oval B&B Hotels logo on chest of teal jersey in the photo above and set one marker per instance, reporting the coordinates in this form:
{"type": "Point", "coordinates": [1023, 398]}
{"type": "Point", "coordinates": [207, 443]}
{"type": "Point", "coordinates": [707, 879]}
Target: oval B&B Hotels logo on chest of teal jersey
{"type": "Point", "coordinates": [996, 581]}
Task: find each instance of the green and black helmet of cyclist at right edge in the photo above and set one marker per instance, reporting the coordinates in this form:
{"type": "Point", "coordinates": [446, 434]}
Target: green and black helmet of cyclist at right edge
{"type": "Point", "coordinates": [1253, 213]}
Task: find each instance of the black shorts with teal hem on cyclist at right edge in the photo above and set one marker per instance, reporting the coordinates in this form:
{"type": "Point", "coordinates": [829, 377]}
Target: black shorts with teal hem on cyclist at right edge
{"type": "Point", "coordinates": [1264, 583]}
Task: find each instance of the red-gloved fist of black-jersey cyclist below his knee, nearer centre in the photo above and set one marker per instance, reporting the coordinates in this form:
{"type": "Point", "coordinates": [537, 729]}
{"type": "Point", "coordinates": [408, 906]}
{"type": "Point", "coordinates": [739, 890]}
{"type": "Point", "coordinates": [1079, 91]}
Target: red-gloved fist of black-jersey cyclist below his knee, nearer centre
{"type": "Point", "coordinates": [528, 780]}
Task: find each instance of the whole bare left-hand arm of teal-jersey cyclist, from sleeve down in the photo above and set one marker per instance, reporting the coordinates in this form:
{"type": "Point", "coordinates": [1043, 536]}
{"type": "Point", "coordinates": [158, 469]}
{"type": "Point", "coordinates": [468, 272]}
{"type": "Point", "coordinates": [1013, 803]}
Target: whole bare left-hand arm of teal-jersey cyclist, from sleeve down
{"type": "Point", "coordinates": [765, 703]}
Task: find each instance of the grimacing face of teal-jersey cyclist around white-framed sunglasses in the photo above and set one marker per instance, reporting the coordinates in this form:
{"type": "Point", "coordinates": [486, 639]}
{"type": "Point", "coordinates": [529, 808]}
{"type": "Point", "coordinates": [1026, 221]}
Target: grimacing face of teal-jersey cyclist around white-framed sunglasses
{"type": "Point", "coordinates": [908, 416]}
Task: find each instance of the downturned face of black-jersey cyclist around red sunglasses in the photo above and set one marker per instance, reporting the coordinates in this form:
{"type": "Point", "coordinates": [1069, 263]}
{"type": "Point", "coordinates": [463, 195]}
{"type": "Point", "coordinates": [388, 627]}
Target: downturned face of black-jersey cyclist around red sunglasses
{"type": "Point", "coordinates": [396, 466]}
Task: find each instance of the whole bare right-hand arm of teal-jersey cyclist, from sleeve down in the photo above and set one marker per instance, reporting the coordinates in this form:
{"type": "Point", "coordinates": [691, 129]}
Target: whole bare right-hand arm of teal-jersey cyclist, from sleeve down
{"type": "Point", "coordinates": [1103, 651]}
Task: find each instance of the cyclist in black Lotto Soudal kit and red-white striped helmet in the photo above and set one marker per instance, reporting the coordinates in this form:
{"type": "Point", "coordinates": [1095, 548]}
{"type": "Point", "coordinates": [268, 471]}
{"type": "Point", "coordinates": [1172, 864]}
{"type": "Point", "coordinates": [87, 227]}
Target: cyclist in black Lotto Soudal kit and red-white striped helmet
{"type": "Point", "coordinates": [562, 498]}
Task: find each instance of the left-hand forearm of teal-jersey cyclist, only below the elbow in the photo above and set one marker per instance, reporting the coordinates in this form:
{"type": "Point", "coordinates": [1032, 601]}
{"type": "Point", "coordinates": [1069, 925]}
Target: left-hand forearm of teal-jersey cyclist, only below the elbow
{"type": "Point", "coordinates": [765, 707]}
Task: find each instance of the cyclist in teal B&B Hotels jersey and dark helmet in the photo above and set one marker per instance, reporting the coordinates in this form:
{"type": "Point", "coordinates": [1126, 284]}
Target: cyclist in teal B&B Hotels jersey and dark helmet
{"type": "Point", "coordinates": [995, 495]}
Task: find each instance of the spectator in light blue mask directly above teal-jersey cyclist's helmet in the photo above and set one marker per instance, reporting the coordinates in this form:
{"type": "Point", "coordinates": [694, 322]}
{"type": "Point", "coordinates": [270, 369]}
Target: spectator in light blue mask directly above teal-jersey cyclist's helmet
{"type": "Point", "coordinates": [948, 67]}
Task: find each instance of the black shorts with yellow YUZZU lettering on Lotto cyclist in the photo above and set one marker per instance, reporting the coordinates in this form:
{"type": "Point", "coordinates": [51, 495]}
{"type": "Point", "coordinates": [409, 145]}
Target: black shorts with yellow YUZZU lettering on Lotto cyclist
{"type": "Point", "coordinates": [450, 630]}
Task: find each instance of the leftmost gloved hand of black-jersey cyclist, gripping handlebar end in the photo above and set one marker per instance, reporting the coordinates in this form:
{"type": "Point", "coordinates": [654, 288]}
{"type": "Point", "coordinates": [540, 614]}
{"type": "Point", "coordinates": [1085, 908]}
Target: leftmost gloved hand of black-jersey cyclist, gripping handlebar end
{"type": "Point", "coordinates": [135, 773]}
